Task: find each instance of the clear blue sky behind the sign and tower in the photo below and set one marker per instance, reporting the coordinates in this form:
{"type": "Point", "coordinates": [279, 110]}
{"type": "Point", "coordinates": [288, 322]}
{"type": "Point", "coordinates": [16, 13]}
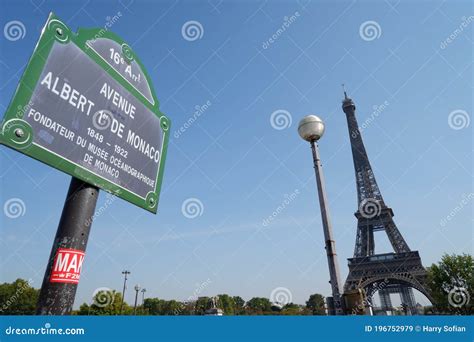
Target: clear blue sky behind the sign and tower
{"type": "Point", "coordinates": [238, 165]}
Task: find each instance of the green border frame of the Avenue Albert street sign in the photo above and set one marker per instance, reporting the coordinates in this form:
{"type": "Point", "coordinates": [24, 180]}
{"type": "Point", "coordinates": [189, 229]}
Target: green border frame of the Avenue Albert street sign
{"type": "Point", "coordinates": [56, 31]}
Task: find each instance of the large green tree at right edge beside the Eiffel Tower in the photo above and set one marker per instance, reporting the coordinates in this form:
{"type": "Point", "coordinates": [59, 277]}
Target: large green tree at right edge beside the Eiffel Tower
{"type": "Point", "coordinates": [451, 283]}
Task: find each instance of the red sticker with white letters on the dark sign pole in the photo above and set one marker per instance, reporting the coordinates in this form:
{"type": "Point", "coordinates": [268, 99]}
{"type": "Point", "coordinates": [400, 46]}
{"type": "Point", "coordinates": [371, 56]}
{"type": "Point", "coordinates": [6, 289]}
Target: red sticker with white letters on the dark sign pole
{"type": "Point", "coordinates": [67, 266]}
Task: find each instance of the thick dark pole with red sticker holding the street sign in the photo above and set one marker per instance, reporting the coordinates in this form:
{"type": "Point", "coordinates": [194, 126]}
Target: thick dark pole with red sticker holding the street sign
{"type": "Point", "coordinates": [57, 295]}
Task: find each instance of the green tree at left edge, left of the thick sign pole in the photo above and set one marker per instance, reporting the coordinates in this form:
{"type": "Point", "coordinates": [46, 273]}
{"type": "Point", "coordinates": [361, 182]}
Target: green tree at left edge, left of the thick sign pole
{"type": "Point", "coordinates": [18, 298]}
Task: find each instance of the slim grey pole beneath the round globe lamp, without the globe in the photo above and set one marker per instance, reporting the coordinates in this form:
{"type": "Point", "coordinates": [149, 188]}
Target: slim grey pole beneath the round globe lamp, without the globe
{"type": "Point", "coordinates": [327, 227]}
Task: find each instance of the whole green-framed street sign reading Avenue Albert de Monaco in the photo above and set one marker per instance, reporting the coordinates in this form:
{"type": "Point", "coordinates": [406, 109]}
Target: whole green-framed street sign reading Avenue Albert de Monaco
{"type": "Point", "coordinates": [86, 106]}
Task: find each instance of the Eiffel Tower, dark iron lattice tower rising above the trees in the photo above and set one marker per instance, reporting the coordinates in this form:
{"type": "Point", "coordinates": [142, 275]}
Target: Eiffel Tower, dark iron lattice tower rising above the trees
{"type": "Point", "coordinates": [399, 271]}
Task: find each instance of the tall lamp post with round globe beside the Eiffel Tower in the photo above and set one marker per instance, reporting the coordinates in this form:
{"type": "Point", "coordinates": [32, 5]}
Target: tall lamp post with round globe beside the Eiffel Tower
{"type": "Point", "coordinates": [311, 129]}
